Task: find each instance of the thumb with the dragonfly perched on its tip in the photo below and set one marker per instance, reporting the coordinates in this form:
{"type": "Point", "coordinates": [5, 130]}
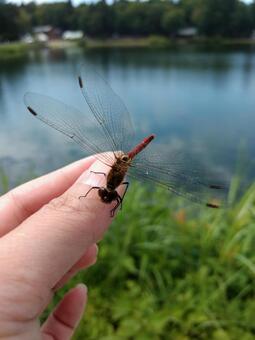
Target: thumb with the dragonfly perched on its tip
{"type": "Point", "coordinates": [45, 246]}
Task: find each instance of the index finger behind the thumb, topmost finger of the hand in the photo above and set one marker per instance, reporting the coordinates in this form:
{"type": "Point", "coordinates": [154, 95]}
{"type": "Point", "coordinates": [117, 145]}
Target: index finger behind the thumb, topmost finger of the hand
{"type": "Point", "coordinates": [21, 202]}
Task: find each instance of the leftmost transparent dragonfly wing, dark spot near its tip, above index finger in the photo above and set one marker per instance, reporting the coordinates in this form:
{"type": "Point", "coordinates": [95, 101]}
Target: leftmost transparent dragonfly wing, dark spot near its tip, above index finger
{"type": "Point", "coordinates": [73, 123]}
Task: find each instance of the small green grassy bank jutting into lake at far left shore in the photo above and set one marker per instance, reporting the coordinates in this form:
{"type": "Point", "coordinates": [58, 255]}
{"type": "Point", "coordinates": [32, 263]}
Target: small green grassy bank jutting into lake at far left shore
{"type": "Point", "coordinates": [13, 51]}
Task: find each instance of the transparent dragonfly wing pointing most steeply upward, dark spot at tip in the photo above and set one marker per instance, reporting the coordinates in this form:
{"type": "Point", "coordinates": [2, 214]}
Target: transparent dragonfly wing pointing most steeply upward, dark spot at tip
{"type": "Point", "coordinates": [108, 109]}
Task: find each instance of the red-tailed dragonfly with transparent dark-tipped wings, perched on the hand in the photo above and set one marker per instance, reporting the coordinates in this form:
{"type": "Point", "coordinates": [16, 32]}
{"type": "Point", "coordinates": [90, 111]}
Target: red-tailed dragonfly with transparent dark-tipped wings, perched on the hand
{"type": "Point", "coordinates": [109, 127]}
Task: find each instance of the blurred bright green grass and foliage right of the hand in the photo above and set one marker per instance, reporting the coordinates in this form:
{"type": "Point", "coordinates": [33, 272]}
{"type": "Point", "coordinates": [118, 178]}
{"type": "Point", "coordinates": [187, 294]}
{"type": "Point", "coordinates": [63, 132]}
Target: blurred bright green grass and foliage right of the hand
{"type": "Point", "coordinates": [168, 269]}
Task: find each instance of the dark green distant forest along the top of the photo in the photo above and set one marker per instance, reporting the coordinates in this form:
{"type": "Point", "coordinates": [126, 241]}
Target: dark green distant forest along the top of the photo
{"type": "Point", "coordinates": [212, 18]}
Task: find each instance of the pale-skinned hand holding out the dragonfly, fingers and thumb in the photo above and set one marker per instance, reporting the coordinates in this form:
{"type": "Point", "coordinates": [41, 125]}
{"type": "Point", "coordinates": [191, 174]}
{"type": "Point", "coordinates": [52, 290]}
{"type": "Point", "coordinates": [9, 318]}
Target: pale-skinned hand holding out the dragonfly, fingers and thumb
{"type": "Point", "coordinates": [48, 234]}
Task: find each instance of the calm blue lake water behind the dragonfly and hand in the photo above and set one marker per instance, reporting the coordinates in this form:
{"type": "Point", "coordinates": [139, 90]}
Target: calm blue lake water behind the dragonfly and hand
{"type": "Point", "coordinates": [199, 102]}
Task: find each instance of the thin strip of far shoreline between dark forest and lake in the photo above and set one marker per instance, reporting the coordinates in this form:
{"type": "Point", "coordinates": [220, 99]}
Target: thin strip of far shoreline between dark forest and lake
{"type": "Point", "coordinates": [18, 50]}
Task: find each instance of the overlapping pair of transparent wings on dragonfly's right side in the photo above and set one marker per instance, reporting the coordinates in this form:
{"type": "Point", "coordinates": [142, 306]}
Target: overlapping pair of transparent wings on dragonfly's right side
{"type": "Point", "coordinates": [179, 175]}
